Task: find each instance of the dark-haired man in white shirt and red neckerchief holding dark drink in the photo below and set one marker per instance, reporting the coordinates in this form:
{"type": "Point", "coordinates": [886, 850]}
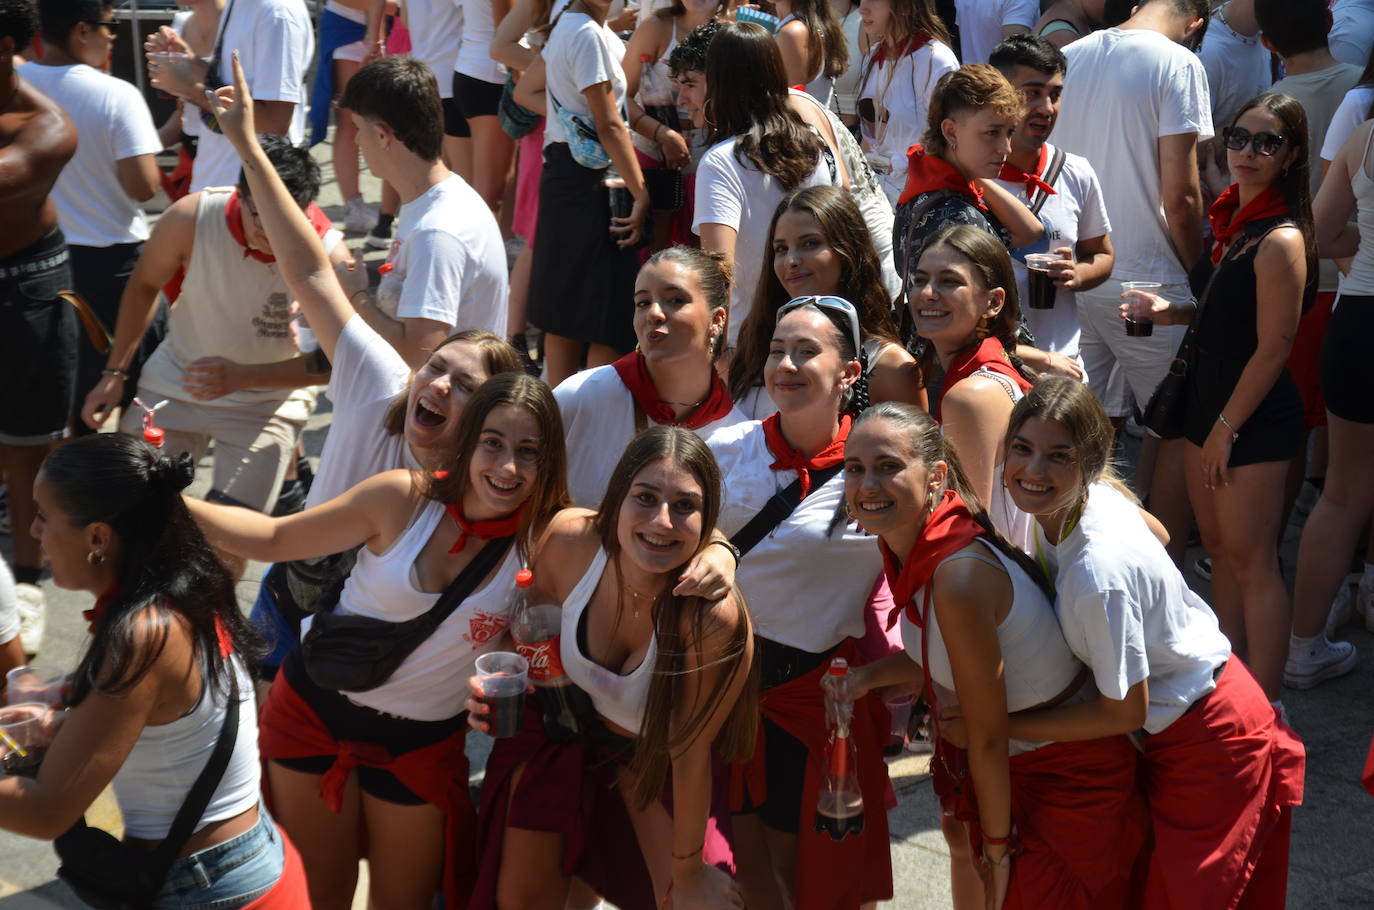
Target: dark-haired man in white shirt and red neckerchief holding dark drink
{"type": "Point", "coordinates": [1075, 218]}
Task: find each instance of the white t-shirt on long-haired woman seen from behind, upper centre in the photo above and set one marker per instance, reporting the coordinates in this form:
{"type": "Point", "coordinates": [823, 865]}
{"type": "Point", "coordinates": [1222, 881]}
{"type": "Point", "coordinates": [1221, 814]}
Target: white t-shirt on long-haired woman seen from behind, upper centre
{"type": "Point", "coordinates": [741, 197]}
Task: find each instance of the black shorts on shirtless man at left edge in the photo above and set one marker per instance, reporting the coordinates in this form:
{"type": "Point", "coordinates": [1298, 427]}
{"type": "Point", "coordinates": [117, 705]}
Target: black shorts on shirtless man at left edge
{"type": "Point", "coordinates": [38, 344]}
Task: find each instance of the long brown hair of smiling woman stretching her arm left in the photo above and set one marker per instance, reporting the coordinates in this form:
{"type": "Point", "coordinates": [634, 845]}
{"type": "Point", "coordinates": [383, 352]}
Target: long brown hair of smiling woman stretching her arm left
{"type": "Point", "coordinates": [550, 494]}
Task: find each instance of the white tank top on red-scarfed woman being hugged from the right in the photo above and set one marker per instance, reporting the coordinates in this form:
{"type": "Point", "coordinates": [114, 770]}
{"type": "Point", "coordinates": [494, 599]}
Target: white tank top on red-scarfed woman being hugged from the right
{"type": "Point", "coordinates": [1037, 662]}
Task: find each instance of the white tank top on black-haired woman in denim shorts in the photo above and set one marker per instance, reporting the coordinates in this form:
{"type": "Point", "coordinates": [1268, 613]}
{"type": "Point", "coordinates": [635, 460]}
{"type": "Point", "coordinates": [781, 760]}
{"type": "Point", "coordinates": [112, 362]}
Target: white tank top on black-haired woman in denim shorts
{"type": "Point", "coordinates": [166, 761]}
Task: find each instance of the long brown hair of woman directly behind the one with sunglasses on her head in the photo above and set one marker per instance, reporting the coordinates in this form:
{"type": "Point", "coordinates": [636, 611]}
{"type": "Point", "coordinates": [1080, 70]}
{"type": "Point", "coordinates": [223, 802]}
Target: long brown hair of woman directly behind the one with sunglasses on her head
{"type": "Point", "coordinates": [861, 282]}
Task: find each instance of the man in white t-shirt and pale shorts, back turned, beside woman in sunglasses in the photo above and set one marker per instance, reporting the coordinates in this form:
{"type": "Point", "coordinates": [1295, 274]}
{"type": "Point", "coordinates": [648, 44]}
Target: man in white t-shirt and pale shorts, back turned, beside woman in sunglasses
{"type": "Point", "coordinates": [1136, 105]}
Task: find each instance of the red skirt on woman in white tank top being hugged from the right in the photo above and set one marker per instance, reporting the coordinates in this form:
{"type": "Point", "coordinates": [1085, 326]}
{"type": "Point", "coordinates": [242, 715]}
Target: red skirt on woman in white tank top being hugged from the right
{"type": "Point", "coordinates": [1079, 817]}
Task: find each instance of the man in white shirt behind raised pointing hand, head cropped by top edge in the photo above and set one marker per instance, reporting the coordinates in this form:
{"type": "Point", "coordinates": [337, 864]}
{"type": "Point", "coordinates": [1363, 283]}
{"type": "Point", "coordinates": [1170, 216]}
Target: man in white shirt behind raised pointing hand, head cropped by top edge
{"type": "Point", "coordinates": [275, 43]}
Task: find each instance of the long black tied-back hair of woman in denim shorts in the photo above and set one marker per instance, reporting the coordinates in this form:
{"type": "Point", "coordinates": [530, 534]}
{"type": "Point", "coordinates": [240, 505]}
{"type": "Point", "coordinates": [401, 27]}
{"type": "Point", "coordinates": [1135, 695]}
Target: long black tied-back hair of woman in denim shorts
{"type": "Point", "coordinates": [166, 564]}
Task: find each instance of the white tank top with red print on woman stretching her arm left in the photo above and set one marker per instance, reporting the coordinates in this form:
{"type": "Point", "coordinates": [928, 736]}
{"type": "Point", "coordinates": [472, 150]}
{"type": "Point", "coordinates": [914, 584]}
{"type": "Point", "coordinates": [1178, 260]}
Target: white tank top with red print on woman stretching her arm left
{"type": "Point", "coordinates": [432, 682]}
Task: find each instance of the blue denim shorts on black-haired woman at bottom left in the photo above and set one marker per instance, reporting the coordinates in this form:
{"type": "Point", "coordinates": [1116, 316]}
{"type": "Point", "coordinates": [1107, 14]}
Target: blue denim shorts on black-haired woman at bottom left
{"type": "Point", "coordinates": [230, 875]}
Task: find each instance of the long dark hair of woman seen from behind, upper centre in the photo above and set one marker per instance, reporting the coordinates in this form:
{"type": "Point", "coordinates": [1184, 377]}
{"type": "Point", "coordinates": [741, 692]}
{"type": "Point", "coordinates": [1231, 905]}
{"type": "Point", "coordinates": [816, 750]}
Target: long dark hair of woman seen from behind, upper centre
{"type": "Point", "coordinates": [747, 101]}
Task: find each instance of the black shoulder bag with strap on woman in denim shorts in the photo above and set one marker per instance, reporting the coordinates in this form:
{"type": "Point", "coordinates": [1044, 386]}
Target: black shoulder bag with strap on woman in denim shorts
{"type": "Point", "coordinates": [108, 874]}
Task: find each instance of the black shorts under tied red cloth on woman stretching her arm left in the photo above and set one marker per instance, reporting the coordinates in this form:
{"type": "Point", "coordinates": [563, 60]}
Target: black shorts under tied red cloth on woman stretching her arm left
{"type": "Point", "coordinates": [347, 721]}
